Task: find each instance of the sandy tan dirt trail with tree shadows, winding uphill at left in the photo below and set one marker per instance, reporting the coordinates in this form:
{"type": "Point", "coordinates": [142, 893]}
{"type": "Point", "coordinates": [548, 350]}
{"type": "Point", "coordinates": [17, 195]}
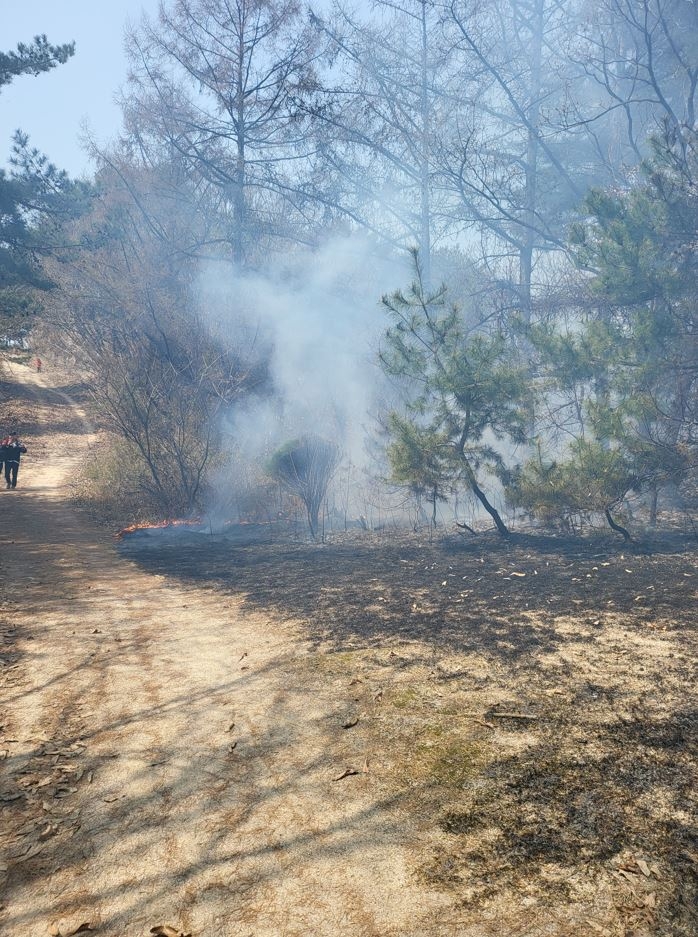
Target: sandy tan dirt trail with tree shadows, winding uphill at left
{"type": "Point", "coordinates": [161, 762]}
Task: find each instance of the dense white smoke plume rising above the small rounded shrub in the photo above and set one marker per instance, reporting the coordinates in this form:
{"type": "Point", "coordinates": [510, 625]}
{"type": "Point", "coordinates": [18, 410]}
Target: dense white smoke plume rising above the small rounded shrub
{"type": "Point", "coordinates": [319, 315]}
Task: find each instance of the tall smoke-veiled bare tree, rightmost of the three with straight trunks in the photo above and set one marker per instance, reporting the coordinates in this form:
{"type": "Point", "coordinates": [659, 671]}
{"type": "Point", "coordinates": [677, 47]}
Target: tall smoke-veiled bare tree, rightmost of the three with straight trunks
{"type": "Point", "coordinates": [509, 161]}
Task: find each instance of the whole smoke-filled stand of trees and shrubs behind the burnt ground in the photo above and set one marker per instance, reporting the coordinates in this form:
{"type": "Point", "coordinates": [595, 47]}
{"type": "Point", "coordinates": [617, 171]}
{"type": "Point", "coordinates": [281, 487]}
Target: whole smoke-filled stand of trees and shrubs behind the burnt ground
{"type": "Point", "coordinates": [526, 169]}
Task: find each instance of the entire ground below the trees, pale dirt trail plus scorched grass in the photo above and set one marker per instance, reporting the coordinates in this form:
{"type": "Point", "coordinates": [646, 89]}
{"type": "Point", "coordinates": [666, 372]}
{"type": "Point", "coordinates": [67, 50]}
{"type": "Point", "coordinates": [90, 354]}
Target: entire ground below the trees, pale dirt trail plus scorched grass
{"type": "Point", "coordinates": [378, 735]}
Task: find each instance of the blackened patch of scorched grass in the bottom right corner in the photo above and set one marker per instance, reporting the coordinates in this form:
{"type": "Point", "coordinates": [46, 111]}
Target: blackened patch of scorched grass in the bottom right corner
{"type": "Point", "coordinates": [556, 808]}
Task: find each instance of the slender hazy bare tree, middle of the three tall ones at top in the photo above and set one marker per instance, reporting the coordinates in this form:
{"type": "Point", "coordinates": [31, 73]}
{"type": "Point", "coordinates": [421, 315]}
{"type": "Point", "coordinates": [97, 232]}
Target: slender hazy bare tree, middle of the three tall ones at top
{"type": "Point", "coordinates": [378, 123]}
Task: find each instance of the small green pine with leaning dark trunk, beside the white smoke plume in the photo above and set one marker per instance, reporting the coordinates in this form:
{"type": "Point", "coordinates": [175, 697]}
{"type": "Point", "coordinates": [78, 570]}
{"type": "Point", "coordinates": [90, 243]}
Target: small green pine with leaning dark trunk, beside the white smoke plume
{"type": "Point", "coordinates": [463, 395]}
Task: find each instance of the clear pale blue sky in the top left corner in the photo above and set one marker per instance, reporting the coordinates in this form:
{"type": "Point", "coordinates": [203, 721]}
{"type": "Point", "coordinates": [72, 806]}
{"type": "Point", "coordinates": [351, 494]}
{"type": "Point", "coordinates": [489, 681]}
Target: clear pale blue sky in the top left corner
{"type": "Point", "coordinates": [53, 107]}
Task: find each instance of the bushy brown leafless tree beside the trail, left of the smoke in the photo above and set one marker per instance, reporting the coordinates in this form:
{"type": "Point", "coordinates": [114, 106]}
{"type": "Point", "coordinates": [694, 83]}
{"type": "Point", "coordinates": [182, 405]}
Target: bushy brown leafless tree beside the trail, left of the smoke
{"type": "Point", "coordinates": [124, 310]}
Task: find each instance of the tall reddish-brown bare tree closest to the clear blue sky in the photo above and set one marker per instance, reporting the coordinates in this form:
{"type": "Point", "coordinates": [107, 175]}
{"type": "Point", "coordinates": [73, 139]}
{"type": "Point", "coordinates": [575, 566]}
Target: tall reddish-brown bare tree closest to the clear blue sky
{"type": "Point", "coordinates": [219, 83]}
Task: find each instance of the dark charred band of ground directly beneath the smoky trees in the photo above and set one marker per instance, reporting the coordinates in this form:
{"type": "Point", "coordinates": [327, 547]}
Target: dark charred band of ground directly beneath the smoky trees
{"type": "Point", "coordinates": [498, 597]}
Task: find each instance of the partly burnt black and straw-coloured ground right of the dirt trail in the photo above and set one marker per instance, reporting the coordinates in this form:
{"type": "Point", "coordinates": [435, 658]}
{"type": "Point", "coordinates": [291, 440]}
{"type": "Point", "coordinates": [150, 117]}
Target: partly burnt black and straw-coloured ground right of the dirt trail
{"type": "Point", "coordinates": [529, 704]}
